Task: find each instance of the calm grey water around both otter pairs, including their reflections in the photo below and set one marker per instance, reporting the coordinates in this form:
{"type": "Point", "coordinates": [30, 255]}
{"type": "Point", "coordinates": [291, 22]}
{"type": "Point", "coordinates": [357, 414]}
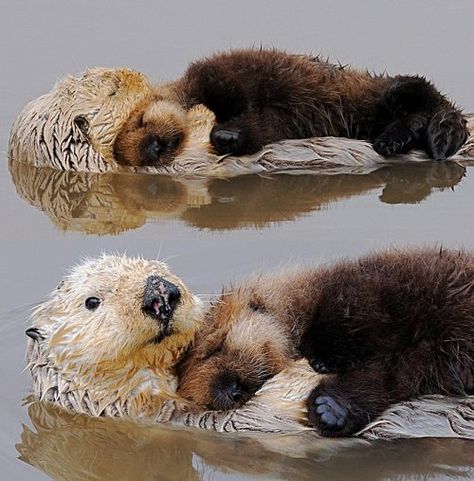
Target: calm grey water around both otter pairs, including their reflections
{"type": "Point", "coordinates": [218, 231]}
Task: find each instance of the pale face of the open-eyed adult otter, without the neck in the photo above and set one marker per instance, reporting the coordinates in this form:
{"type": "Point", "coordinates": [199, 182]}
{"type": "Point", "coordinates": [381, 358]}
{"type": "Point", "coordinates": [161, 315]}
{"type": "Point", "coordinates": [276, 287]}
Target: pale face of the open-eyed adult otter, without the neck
{"type": "Point", "coordinates": [113, 309]}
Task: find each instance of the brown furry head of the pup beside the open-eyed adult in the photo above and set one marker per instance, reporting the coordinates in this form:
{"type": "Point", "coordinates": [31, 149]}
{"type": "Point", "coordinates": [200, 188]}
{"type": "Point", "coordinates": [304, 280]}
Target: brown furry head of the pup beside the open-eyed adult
{"type": "Point", "coordinates": [241, 346]}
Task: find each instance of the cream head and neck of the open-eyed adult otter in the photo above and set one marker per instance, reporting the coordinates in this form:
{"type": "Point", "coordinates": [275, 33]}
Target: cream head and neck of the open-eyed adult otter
{"type": "Point", "coordinates": [114, 324]}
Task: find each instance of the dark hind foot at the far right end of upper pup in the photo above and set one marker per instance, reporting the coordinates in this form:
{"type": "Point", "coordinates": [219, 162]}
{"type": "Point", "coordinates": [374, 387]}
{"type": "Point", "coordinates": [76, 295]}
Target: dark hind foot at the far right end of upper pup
{"type": "Point", "coordinates": [446, 134]}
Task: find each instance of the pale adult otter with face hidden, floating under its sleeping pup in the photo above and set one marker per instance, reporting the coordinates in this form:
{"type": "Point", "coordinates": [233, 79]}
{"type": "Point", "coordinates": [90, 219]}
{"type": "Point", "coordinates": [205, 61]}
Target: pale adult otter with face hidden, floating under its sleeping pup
{"type": "Point", "coordinates": [75, 126]}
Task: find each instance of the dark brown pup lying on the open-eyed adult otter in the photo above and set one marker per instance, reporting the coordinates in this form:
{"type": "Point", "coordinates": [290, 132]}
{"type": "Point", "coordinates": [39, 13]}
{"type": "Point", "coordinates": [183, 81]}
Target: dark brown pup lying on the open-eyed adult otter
{"type": "Point", "coordinates": [385, 328]}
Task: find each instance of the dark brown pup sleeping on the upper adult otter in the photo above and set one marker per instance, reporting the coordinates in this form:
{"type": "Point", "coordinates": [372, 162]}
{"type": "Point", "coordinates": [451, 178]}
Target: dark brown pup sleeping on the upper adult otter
{"type": "Point", "coordinates": [263, 96]}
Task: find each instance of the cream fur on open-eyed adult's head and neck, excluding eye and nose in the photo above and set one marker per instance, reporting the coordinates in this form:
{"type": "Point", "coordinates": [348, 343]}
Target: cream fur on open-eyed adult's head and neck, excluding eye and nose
{"type": "Point", "coordinates": [103, 361]}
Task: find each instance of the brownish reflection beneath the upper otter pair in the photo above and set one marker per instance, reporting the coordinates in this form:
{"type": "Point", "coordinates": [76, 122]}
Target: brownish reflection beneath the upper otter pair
{"type": "Point", "coordinates": [111, 203]}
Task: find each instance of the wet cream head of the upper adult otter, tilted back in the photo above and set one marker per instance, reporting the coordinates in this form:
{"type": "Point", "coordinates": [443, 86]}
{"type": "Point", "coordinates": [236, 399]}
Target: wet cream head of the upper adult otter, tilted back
{"type": "Point", "coordinates": [74, 126]}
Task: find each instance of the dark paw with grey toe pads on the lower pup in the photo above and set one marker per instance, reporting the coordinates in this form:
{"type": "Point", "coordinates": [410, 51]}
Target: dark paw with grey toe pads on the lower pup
{"type": "Point", "coordinates": [331, 415]}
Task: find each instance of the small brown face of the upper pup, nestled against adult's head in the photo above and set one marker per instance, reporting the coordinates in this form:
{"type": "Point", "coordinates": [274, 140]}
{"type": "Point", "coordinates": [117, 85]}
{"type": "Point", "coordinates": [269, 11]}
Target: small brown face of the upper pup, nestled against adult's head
{"type": "Point", "coordinates": [153, 135]}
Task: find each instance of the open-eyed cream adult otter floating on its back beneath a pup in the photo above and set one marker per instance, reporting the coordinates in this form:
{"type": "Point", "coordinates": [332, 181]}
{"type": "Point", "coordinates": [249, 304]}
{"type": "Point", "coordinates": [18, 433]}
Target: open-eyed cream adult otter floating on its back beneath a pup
{"type": "Point", "coordinates": [108, 318]}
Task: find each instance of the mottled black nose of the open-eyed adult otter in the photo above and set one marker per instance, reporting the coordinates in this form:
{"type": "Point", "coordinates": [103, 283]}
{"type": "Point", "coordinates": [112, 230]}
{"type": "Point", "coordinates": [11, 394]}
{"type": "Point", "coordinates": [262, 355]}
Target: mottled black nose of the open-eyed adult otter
{"type": "Point", "coordinates": [160, 299]}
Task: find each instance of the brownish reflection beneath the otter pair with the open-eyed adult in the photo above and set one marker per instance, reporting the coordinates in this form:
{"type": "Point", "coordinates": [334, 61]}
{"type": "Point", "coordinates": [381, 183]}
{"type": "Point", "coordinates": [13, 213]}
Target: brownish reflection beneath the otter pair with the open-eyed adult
{"type": "Point", "coordinates": [77, 447]}
